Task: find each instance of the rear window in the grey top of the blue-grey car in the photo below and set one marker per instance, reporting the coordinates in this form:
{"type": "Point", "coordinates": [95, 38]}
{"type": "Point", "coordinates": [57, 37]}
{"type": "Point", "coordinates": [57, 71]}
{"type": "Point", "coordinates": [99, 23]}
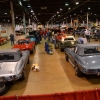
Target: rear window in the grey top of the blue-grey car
{"type": "Point", "coordinates": [92, 50]}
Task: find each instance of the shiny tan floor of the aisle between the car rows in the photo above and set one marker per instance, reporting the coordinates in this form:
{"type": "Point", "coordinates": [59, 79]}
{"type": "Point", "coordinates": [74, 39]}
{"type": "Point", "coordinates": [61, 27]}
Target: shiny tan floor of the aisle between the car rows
{"type": "Point", "coordinates": [55, 75]}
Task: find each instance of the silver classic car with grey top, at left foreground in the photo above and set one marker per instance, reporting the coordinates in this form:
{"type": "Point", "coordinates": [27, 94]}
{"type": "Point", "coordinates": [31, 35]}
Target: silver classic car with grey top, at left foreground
{"type": "Point", "coordinates": [12, 66]}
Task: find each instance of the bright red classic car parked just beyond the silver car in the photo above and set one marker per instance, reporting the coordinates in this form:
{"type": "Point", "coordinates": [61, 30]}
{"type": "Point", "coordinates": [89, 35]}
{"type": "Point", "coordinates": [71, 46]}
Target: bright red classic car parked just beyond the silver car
{"type": "Point", "coordinates": [25, 44]}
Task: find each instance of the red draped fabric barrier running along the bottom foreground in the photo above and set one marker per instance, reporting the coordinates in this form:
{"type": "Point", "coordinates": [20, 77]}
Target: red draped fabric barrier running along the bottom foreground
{"type": "Point", "coordinates": [77, 95]}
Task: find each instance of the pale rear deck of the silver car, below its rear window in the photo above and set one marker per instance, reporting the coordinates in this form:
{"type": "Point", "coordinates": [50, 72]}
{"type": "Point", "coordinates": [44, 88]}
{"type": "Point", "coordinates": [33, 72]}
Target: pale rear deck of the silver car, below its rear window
{"type": "Point", "coordinates": [8, 68]}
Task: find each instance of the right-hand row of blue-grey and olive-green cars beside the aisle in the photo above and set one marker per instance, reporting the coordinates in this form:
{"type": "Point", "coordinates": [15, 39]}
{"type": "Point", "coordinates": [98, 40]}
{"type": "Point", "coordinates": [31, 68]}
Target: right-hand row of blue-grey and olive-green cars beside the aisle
{"type": "Point", "coordinates": [85, 58]}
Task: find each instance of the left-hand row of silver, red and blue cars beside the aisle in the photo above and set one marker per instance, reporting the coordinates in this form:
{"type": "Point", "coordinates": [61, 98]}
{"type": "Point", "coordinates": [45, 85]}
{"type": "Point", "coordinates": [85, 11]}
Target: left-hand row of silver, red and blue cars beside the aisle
{"type": "Point", "coordinates": [13, 61]}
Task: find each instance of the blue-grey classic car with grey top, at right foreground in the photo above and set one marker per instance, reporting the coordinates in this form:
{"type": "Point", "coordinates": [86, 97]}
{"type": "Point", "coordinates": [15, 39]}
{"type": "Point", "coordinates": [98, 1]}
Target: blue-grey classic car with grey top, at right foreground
{"type": "Point", "coordinates": [85, 58]}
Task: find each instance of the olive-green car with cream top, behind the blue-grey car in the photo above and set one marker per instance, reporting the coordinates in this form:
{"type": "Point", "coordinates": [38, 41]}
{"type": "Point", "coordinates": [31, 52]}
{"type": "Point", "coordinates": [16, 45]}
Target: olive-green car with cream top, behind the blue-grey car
{"type": "Point", "coordinates": [68, 41]}
